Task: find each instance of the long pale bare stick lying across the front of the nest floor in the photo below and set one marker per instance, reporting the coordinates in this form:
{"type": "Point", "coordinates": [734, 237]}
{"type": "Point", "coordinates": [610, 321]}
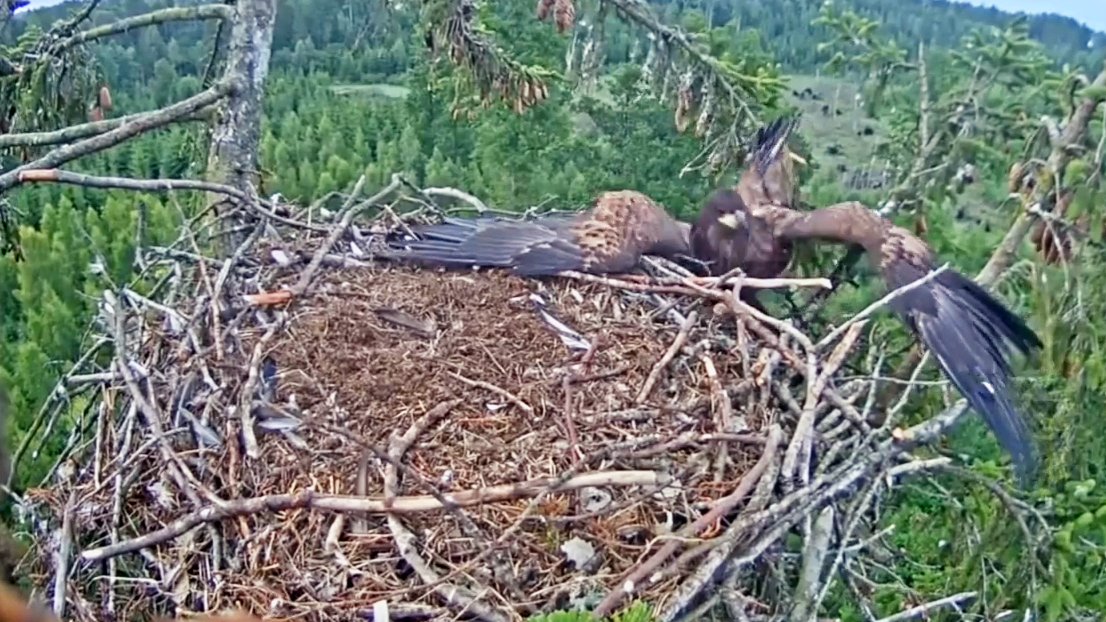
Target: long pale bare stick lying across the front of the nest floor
{"type": "Point", "coordinates": [375, 505]}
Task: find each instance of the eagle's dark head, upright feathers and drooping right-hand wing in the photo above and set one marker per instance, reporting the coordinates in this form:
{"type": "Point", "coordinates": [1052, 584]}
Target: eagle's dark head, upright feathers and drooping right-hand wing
{"type": "Point", "coordinates": [755, 226]}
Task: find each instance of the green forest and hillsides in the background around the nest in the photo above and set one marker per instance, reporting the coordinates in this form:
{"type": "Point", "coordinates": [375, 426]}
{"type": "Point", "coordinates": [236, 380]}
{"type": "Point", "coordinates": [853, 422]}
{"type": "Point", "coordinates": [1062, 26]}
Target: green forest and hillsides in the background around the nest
{"type": "Point", "coordinates": [352, 91]}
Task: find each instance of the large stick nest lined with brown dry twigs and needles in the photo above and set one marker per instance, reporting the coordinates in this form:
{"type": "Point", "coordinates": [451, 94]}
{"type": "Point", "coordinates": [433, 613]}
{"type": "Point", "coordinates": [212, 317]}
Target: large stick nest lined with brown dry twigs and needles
{"type": "Point", "coordinates": [246, 455]}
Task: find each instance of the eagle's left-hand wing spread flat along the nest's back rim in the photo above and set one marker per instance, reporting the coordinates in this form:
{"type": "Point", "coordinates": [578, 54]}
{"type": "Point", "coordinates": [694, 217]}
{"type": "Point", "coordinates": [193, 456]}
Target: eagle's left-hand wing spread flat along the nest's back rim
{"type": "Point", "coordinates": [611, 237]}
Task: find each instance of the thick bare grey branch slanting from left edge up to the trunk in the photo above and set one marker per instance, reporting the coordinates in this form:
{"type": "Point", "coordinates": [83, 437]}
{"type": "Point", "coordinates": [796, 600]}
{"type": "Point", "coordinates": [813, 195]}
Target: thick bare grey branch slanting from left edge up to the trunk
{"type": "Point", "coordinates": [150, 121]}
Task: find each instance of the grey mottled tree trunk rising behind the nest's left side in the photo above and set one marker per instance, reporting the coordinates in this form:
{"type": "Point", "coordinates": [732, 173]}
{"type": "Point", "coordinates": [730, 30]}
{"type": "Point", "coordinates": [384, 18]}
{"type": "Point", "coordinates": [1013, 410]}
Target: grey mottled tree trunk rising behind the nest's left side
{"type": "Point", "coordinates": [233, 157]}
